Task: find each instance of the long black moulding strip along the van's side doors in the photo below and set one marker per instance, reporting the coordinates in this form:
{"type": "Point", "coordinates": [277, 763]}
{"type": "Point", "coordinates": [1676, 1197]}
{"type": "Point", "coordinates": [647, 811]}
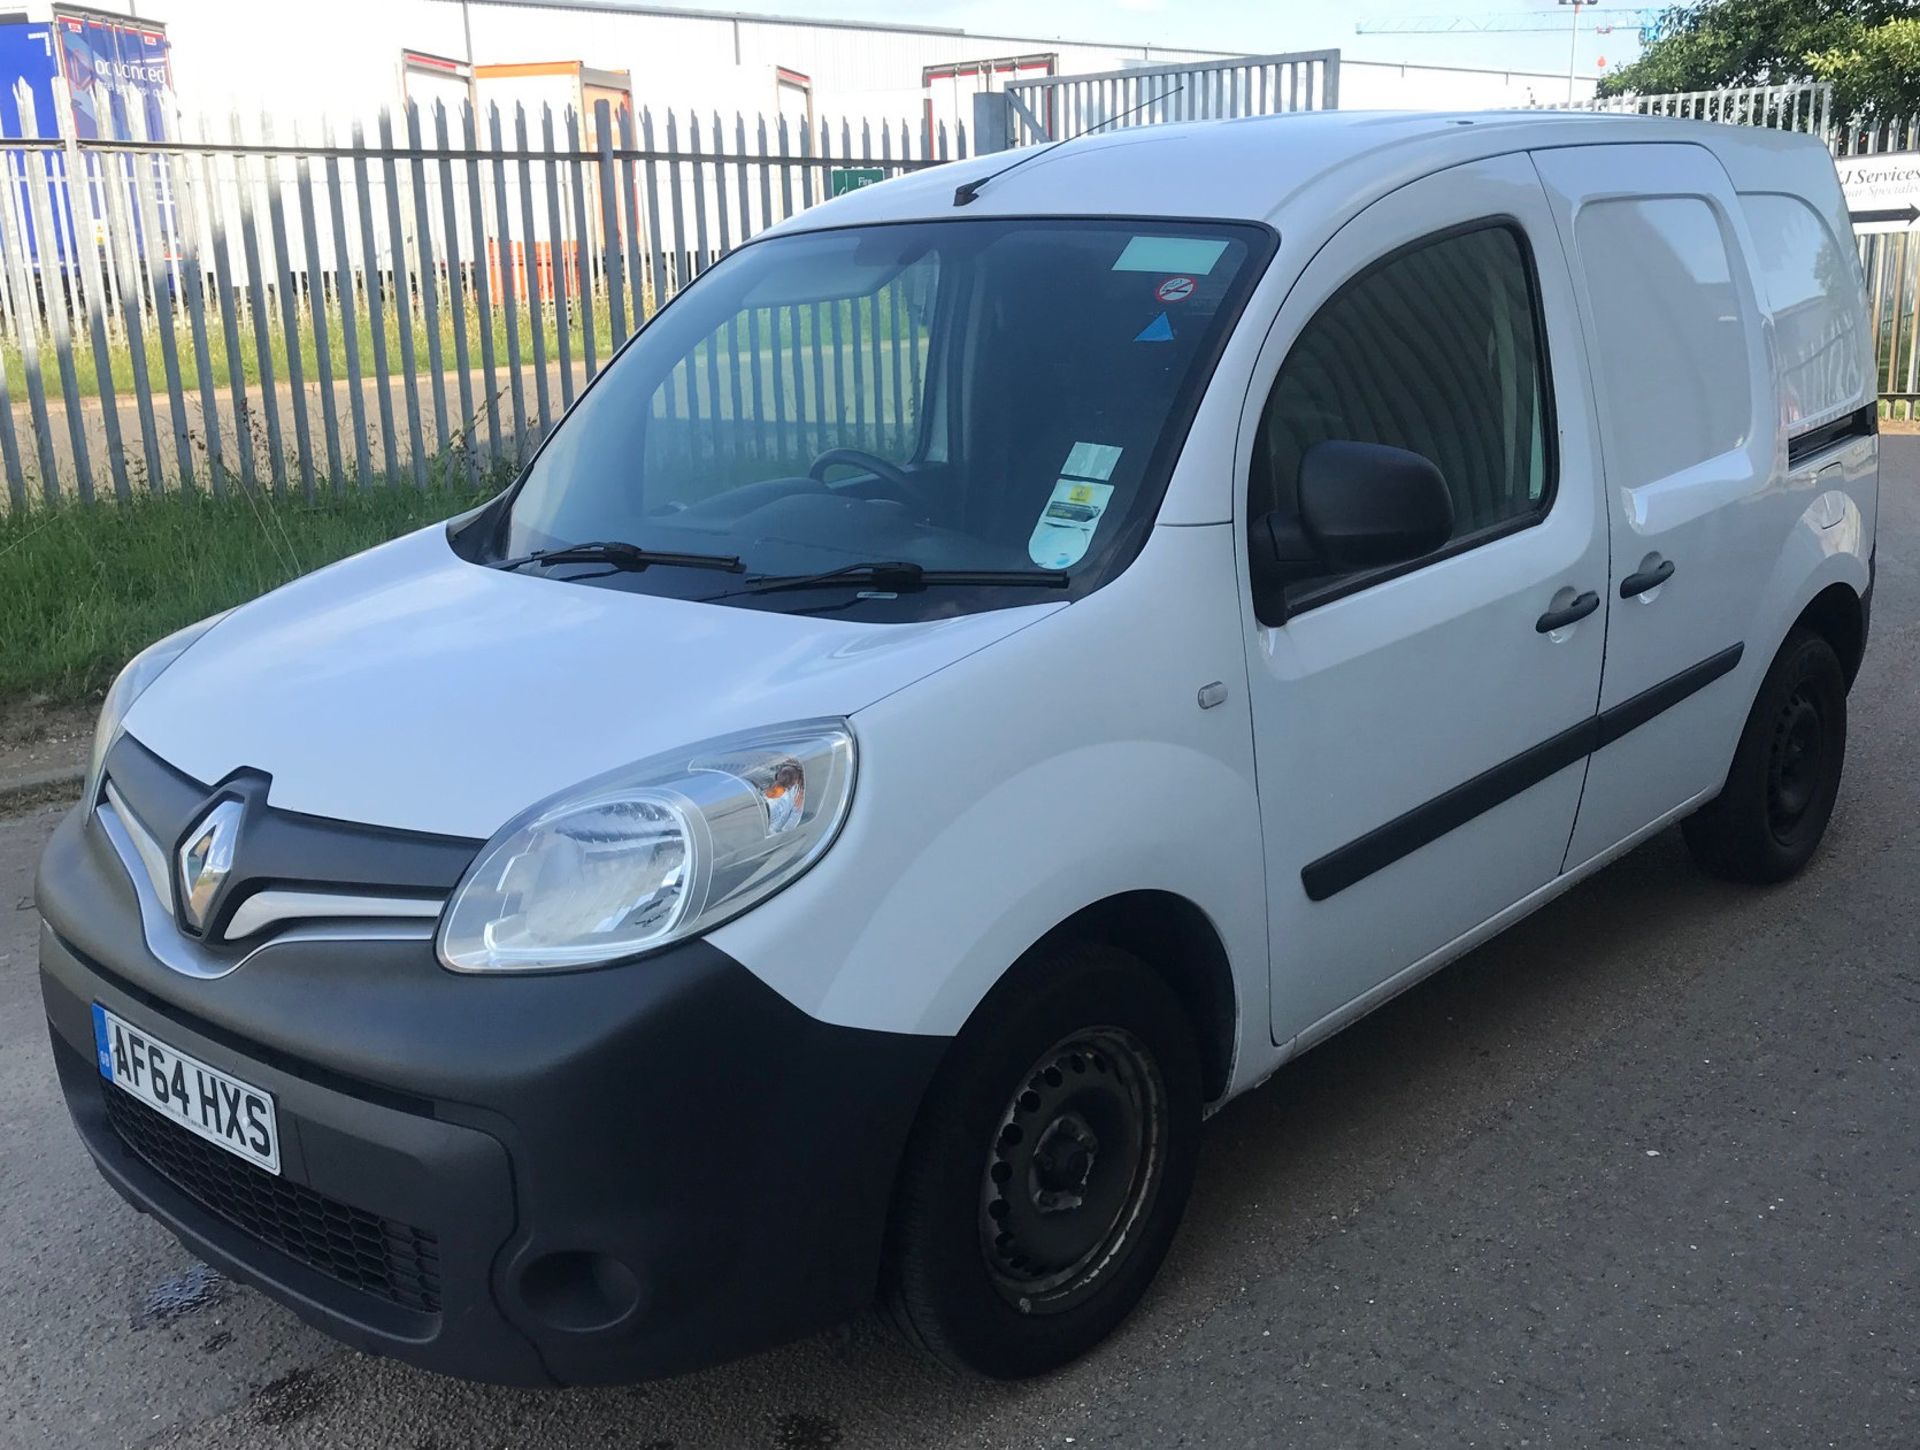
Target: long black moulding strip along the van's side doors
{"type": "Point", "coordinates": [1452, 810]}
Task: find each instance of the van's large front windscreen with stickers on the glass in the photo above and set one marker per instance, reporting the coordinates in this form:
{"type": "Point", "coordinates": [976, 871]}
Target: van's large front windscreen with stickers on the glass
{"type": "Point", "coordinates": [972, 404]}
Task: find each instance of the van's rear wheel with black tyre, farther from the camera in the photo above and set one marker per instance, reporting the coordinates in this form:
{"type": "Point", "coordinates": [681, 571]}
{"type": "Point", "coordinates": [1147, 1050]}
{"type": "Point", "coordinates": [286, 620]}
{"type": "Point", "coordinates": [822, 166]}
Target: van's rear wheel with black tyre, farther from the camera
{"type": "Point", "coordinates": [1787, 771]}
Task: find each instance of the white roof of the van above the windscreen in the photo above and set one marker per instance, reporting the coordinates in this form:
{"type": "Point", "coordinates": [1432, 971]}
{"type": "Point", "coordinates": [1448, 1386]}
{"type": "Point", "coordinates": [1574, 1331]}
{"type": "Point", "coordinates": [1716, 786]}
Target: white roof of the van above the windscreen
{"type": "Point", "coordinates": [1259, 168]}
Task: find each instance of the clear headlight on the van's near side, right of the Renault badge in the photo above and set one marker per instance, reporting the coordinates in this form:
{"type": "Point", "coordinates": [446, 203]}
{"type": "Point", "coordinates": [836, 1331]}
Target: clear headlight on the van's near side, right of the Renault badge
{"type": "Point", "coordinates": [652, 854]}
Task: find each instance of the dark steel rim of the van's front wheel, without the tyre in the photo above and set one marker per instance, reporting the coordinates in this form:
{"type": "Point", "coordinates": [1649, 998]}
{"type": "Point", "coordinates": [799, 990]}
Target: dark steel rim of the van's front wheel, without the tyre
{"type": "Point", "coordinates": [1072, 1169]}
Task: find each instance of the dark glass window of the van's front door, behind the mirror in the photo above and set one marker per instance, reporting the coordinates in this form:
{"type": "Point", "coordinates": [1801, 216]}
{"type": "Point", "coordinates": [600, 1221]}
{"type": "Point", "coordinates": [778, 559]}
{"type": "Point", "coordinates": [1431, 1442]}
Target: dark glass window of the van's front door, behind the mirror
{"type": "Point", "coordinates": [1437, 350]}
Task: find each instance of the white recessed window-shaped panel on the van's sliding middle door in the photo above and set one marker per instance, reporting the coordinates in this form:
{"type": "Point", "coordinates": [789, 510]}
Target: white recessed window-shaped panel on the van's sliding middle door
{"type": "Point", "coordinates": [1671, 341]}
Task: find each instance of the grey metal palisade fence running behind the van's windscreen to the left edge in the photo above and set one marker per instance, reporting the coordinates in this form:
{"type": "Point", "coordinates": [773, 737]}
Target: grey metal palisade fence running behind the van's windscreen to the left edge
{"type": "Point", "coordinates": [245, 310]}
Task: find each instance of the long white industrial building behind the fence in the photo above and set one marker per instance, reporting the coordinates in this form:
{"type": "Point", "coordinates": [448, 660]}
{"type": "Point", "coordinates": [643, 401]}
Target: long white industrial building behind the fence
{"type": "Point", "coordinates": [350, 59]}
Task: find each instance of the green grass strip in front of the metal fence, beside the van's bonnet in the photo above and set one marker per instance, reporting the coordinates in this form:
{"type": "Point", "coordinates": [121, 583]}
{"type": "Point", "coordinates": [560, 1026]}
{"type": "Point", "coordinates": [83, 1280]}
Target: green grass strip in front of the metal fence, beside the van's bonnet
{"type": "Point", "coordinates": [85, 589]}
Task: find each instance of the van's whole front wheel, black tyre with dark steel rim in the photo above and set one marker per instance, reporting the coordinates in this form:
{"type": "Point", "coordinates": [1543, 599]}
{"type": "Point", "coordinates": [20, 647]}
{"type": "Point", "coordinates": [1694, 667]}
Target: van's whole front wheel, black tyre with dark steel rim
{"type": "Point", "coordinates": [1049, 1169]}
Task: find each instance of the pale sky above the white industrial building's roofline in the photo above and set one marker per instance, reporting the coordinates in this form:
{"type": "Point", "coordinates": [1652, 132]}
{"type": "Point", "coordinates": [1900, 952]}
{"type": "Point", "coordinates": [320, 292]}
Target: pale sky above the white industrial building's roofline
{"type": "Point", "coordinates": [1257, 26]}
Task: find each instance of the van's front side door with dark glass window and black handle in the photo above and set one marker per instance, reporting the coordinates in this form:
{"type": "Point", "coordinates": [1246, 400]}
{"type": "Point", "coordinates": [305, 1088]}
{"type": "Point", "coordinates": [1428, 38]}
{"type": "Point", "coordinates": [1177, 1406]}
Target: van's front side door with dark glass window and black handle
{"type": "Point", "coordinates": [1420, 738]}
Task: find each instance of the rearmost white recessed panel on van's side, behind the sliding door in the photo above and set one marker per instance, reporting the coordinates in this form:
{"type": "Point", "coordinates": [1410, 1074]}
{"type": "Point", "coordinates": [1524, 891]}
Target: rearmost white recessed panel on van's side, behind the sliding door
{"type": "Point", "coordinates": [1813, 293]}
